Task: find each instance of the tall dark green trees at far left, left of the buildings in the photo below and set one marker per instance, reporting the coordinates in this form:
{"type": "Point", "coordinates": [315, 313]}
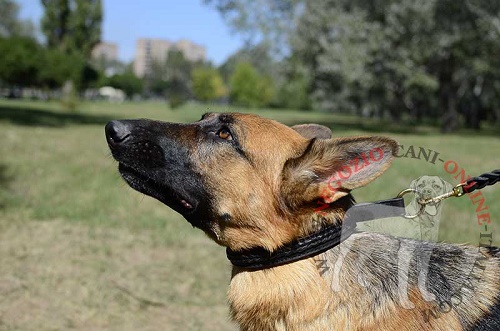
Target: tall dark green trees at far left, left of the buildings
{"type": "Point", "coordinates": [71, 27]}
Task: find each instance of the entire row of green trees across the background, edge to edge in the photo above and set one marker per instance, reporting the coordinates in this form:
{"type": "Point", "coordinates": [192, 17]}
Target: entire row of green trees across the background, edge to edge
{"type": "Point", "coordinates": [432, 60]}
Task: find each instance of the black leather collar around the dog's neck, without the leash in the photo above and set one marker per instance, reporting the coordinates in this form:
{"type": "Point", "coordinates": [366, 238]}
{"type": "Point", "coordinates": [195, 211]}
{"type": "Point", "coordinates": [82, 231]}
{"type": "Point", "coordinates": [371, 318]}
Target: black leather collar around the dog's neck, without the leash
{"type": "Point", "coordinates": [318, 242]}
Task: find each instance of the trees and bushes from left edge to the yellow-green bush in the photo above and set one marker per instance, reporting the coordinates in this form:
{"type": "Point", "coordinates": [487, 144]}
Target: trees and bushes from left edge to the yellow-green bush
{"type": "Point", "coordinates": [249, 78]}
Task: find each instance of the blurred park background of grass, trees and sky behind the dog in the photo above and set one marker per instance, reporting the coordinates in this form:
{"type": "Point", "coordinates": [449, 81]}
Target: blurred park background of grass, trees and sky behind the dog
{"type": "Point", "coordinates": [80, 250]}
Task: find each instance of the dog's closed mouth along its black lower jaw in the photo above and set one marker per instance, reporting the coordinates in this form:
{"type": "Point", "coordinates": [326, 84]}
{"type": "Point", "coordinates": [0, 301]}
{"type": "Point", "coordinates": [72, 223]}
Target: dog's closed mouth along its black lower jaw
{"type": "Point", "coordinates": [156, 188]}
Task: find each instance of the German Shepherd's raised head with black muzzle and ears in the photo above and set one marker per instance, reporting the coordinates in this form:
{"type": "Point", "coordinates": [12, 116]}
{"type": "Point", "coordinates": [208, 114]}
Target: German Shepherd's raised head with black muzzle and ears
{"type": "Point", "coordinates": [245, 180]}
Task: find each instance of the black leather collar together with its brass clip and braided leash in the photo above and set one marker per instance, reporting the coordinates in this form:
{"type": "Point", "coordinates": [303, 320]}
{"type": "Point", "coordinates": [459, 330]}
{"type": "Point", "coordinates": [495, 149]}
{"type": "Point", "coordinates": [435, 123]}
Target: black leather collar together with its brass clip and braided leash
{"type": "Point", "coordinates": [333, 235]}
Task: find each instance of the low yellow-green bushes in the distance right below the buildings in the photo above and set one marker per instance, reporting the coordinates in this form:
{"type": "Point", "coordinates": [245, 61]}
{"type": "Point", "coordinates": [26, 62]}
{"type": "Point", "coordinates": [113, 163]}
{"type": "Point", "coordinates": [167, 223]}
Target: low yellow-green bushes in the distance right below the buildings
{"type": "Point", "coordinates": [179, 80]}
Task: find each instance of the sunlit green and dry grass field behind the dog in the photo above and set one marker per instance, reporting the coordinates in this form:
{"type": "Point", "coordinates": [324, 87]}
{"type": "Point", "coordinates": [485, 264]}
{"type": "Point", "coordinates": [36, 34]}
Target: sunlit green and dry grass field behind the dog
{"type": "Point", "coordinates": [79, 250]}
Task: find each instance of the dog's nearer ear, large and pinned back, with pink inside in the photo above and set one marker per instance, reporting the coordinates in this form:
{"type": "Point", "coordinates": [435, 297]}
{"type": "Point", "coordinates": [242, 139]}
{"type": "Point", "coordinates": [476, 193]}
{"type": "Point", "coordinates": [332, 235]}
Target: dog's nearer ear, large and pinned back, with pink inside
{"type": "Point", "coordinates": [330, 169]}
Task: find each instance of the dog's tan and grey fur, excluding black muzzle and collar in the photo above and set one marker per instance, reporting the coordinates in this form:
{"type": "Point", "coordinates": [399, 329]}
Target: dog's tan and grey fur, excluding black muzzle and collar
{"type": "Point", "coordinates": [268, 197]}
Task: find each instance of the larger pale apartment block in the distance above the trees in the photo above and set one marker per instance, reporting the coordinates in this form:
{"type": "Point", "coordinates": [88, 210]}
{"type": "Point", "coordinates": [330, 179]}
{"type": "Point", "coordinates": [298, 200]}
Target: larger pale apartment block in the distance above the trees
{"type": "Point", "coordinates": [149, 50]}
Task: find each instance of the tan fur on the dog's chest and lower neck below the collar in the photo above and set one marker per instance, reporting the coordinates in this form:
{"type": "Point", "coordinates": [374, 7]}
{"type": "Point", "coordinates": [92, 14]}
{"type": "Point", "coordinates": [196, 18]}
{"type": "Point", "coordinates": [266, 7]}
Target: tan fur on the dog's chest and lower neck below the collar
{"type": "Point", "coordinates": [299, 299]}
